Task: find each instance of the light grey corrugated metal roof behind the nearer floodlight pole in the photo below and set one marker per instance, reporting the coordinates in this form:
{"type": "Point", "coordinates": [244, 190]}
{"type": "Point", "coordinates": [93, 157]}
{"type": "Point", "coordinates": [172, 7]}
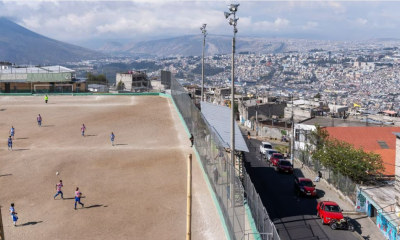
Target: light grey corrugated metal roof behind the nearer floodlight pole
{"type": "Point", "coordinates": [219, 117]}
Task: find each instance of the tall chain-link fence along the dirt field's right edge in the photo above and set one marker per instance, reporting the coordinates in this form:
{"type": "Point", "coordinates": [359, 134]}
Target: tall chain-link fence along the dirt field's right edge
{"type": "Point", "coordinates": [216, 162]}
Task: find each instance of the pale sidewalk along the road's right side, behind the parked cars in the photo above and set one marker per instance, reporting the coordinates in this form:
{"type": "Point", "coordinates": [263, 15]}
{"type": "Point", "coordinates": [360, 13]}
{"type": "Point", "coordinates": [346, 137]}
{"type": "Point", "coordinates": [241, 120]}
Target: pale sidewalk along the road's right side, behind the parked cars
{"type": "Point", "coordinates": [364, 226]}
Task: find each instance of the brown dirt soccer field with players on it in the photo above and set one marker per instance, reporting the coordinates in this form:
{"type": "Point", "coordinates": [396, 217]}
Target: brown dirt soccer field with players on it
{"type": "Point", "coordinates": [133, 190]}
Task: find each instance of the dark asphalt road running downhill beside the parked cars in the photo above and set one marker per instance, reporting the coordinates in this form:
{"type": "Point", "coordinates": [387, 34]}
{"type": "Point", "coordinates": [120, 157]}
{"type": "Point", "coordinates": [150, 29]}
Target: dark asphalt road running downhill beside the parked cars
{"type": "Point", "coordinates": [294, 217]}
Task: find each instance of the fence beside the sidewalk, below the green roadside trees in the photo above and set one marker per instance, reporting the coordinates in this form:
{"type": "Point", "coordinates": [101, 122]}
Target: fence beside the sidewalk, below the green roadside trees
{"type": "Point", "coordinates": [339, 181]}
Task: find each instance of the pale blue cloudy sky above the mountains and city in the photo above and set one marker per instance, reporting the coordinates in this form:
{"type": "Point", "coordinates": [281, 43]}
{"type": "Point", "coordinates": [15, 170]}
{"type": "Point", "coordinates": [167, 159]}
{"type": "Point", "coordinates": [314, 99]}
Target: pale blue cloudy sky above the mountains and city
{"type": "Point", "coordinates": [92, 23]}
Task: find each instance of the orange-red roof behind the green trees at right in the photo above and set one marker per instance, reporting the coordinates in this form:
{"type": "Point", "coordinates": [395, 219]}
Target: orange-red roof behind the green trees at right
{"type": "Point", "coordinates": [367, 138]}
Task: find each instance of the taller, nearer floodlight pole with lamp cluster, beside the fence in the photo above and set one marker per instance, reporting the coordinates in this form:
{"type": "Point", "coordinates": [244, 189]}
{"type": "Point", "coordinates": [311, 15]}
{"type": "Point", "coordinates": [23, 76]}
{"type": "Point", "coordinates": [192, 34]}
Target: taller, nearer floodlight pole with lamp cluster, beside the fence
{"type": "Point", "coordinates": [233, 21]}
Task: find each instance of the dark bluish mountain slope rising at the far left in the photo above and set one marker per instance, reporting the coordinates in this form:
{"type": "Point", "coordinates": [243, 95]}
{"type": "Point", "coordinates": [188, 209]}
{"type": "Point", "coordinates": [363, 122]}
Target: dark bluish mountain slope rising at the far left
{"type": "Point", "coordinates": [22, 46]}
